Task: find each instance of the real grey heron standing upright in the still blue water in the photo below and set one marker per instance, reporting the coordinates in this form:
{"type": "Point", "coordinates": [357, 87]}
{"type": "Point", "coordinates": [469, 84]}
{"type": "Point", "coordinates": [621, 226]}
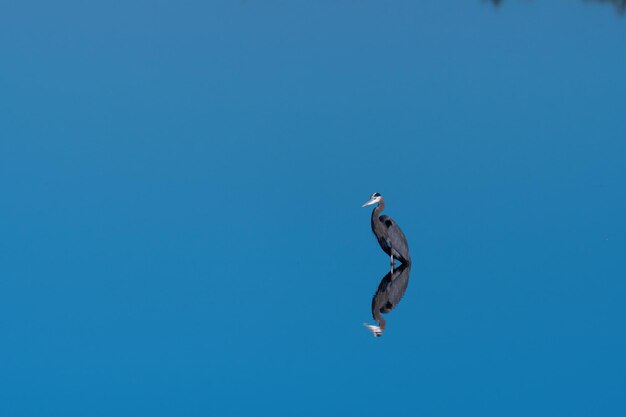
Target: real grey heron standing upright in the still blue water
{"type": "Point", "coordinates": [387, 232]}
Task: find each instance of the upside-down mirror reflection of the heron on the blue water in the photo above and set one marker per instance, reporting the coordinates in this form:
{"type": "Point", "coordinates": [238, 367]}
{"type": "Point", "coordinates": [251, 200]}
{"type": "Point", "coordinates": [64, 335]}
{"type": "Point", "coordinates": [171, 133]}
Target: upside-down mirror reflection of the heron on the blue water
{"type": "Point", "coordinates": [388, 295]}
